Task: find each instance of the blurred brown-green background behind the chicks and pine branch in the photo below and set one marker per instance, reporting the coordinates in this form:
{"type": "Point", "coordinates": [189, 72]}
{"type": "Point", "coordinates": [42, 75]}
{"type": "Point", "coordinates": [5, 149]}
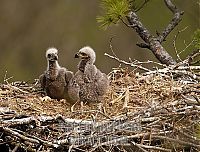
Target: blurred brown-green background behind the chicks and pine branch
{"type": "Point", "coordinates": [28, 28]}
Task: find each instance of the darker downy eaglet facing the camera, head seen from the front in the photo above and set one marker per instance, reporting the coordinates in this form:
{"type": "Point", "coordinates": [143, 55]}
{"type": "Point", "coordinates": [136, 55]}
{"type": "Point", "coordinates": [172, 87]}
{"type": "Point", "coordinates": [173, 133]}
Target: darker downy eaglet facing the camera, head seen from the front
{"type": "Point", "coordinates": [55, 79]}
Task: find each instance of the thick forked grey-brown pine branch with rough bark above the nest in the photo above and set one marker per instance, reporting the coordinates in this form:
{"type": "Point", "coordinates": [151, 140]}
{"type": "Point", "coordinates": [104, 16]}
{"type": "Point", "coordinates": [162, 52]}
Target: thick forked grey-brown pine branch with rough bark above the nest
{"type": "Point", "coordinates": [154, 43]}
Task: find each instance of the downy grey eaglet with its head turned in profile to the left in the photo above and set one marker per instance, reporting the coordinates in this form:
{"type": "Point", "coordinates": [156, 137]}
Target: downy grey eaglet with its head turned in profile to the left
{"type": "Point", "coordinates": [89, 84]}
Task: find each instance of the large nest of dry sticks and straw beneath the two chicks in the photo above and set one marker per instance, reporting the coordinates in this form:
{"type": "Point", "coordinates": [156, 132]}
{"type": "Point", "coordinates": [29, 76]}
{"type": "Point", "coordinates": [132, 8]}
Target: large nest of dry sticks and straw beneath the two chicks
{"type": "Point", "coordinates": [154, 111]}
